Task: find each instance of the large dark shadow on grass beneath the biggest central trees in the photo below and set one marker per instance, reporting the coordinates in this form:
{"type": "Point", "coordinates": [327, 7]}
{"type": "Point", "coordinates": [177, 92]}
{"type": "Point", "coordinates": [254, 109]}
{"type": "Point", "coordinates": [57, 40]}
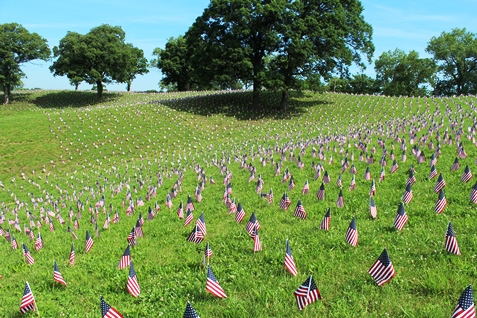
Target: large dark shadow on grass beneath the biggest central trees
{"type": "Point", "coordinates": [239, 105]}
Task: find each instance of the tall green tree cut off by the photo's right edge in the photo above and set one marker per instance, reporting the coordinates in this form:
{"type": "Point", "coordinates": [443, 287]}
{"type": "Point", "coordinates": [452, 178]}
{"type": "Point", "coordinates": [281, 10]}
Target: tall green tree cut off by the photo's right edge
{"type": "Point", "coordinates": [456, 55]}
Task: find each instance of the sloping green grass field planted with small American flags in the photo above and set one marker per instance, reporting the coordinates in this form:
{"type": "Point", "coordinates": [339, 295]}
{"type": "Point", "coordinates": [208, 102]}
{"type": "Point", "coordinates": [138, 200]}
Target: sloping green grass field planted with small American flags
{"type": "Point", "coordinates": [61, 147]}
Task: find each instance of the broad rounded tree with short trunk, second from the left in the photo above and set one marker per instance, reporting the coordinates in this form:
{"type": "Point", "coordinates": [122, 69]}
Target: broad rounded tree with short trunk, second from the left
{"type": "Point", "coordinates": [100, 56]}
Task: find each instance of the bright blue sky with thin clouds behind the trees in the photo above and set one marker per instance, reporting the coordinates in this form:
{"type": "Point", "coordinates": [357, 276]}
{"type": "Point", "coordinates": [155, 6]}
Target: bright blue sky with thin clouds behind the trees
{"type": "Point", "coordinates": [404, 24]}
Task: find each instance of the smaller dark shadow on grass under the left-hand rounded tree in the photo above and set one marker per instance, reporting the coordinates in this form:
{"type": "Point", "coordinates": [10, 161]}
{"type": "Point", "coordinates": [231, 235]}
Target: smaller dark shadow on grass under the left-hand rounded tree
{"type": "Point", "coordinates": [63, 99]}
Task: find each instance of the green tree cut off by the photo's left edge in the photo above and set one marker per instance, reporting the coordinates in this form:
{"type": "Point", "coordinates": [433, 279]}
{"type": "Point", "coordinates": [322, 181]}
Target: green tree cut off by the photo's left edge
{"type": "Point", "coordinates": [18, 46]}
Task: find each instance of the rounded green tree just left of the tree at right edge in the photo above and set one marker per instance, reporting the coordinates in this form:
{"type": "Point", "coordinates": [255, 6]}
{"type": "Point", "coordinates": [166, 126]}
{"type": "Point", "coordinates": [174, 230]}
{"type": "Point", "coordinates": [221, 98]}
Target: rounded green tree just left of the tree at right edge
{"type": "Point", "coordinates": [398, 73]}
